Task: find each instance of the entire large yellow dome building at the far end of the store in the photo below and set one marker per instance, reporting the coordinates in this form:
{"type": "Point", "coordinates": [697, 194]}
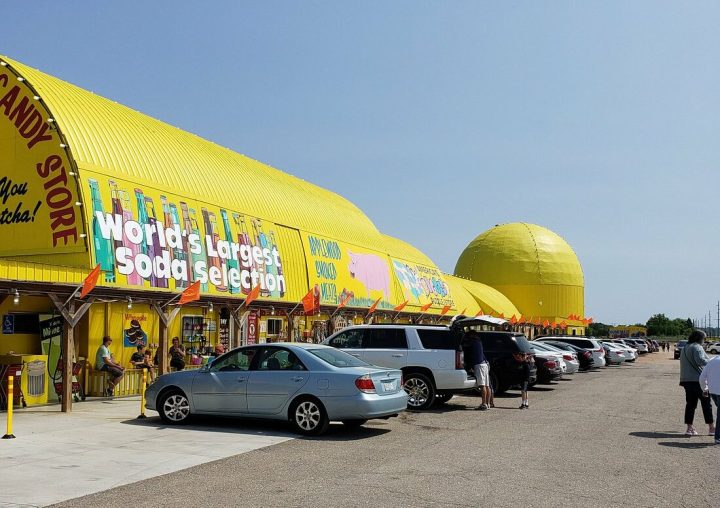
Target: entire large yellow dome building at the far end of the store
{"type": "Point", "coordinates": [534, 267]}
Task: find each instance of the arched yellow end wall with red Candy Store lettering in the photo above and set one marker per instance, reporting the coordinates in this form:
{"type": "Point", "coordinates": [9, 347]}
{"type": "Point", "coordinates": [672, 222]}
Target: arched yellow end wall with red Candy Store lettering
{"type": "Point", "coordinates": [39, 195]}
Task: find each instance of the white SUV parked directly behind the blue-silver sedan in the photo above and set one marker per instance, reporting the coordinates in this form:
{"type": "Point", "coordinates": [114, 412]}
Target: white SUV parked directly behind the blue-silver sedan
{"type": "Point", "coordinates": [430, 358]}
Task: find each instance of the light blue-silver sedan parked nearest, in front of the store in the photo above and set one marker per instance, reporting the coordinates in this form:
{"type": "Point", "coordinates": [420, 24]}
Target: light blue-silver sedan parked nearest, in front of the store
{"type": "Point", "coordinates": [306, 384]}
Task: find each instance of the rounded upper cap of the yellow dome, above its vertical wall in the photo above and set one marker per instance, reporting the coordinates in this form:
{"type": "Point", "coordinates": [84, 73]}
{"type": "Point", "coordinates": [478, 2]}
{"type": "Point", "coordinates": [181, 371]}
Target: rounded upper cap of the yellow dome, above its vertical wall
{"type": "Point", "coordinates": [520, 254]}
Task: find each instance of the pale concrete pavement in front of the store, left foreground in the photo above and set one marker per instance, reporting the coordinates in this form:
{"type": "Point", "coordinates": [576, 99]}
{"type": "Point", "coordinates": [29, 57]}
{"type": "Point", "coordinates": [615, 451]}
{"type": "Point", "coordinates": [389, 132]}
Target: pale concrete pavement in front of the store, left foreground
{"type": "Point", "coordinates": [101, 445]}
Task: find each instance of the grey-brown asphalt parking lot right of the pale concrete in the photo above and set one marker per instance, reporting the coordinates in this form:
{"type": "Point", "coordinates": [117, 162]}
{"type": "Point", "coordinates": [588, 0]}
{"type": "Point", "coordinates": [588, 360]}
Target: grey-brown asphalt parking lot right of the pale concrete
{"type": "Point", "coordinates": [604, 438]}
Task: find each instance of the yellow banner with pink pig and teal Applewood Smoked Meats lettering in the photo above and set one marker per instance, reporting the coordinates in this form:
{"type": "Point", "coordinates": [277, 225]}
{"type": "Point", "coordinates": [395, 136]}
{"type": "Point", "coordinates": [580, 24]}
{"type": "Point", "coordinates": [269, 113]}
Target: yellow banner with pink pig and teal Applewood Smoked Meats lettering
{"type": "Point", "coordinates": [342, 270]}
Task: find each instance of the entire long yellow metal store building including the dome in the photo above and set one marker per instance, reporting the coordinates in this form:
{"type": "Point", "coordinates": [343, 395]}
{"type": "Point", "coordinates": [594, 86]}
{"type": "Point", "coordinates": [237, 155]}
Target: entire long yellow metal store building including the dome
{"type": "Point", "coordinates": [91, 182]}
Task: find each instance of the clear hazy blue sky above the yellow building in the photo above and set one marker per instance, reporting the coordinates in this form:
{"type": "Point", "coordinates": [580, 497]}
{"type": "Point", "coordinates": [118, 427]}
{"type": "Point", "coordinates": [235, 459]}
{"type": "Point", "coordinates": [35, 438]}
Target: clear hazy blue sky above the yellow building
{"type": "Point", "coordinates": [599, 120]}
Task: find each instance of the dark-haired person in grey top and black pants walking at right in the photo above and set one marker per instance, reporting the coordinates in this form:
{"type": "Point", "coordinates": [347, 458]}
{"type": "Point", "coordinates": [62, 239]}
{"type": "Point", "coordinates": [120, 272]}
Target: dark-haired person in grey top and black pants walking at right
{"type": "Point", "coordinates": [692, 361]}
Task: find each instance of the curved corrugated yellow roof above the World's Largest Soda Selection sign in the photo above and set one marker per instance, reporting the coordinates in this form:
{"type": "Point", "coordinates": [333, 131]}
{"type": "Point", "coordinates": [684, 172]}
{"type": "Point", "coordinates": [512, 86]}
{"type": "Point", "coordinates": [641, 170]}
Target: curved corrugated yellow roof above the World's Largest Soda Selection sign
{"type": "Point", "coordinates": [108, 137]}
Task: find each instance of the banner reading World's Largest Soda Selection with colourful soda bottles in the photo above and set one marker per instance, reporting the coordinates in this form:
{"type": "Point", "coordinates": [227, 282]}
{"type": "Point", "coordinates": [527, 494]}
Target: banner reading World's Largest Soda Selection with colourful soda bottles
{"type": "Point", "coordinates": [145, 238]}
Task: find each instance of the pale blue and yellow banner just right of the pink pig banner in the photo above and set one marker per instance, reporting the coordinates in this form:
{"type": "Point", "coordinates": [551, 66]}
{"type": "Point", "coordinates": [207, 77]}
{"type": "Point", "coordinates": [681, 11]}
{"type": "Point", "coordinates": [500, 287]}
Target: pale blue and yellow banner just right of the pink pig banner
{"type": "Point", "coordinates": [422, 284]}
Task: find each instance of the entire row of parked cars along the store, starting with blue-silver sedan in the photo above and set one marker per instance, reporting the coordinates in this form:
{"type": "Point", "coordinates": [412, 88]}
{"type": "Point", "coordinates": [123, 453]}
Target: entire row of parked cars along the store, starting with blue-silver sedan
{"type": "Point", "coordinates": [369, 371]}
